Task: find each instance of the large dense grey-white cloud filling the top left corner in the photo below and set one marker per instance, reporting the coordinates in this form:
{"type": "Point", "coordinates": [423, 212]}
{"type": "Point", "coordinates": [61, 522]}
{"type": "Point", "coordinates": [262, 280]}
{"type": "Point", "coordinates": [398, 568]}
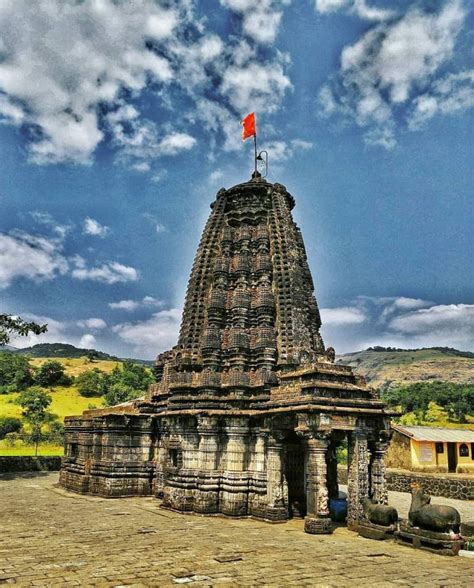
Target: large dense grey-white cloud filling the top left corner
{"type": "Point", "coordinates": [84, 54]}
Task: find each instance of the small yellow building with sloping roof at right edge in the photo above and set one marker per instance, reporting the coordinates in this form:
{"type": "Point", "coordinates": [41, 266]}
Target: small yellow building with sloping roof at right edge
{"type": "Point", "coordinates": [436, 449]}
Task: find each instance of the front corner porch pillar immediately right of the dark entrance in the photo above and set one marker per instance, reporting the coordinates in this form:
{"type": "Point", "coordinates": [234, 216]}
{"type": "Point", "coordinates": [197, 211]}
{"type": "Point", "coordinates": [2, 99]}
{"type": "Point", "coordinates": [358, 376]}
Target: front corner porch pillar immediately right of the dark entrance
{"type": "Point", "coordinates": [317, 520]}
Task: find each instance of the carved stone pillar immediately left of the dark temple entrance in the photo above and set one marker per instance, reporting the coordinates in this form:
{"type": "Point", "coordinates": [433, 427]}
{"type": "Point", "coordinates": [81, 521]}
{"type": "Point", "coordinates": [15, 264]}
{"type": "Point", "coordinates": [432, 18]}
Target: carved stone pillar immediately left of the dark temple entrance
{"type": "Point", "coordinates": [277, 500]}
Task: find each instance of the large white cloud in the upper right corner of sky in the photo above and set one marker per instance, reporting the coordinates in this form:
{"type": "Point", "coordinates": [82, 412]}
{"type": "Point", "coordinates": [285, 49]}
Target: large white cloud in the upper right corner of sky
{"type": "Point", "coordinates": [392, 66]}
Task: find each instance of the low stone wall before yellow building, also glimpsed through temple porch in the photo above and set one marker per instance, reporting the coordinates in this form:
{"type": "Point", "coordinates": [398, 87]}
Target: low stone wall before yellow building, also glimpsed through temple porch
{"type": "Point", "coordinates": [448, 486]}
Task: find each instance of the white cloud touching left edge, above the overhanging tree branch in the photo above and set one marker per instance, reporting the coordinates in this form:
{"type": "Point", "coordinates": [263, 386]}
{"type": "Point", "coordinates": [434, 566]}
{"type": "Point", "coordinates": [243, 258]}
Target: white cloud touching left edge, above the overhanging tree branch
{"type": "Point", "coordinates": [23, 255]}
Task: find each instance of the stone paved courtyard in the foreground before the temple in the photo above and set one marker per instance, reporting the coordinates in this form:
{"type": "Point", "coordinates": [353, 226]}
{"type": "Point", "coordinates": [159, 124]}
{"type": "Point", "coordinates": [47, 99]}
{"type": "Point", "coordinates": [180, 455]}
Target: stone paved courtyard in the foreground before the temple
{"type": "Point", "coordinates": [49, 537]}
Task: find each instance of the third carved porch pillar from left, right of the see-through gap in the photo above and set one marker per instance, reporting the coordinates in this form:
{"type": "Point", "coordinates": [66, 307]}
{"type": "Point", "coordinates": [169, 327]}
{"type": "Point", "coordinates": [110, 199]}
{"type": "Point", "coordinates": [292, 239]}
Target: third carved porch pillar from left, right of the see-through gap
{"type": "Point", "coordinates": [358, 478]}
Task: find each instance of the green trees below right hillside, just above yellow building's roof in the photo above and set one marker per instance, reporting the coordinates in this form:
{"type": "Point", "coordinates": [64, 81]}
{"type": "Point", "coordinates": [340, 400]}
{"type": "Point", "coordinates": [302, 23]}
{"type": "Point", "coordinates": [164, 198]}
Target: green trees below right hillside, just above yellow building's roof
{"type": "Point", "coordinates": [455, 400]}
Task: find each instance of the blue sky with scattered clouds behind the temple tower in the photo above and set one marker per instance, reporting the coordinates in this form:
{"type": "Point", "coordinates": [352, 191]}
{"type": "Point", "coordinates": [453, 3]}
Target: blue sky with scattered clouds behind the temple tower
{"type": "Point", "coordinates": [120, 121]}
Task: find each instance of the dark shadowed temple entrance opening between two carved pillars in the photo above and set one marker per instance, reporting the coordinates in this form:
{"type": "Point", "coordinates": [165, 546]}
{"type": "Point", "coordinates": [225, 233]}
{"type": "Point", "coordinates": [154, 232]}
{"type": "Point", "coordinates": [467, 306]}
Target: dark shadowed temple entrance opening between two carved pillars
{"type": "Point", "coordinates": [295, 476]}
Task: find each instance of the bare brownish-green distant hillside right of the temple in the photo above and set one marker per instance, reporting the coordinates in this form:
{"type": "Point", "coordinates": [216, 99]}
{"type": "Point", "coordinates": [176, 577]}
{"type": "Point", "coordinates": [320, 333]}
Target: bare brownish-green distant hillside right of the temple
{"type": "Point", "coordinates": [389, 366]}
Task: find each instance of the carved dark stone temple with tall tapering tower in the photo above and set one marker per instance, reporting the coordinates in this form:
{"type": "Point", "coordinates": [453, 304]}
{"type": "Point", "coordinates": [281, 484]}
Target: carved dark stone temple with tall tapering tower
{"type": "Point", "coordinates": [249, 407]}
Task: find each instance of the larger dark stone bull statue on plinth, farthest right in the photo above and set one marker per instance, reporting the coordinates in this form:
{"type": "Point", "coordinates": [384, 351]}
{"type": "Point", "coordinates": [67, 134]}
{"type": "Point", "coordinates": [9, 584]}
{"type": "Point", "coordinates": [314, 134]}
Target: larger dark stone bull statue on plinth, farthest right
{"type": "Point", "coordinates": [433, 527]}
